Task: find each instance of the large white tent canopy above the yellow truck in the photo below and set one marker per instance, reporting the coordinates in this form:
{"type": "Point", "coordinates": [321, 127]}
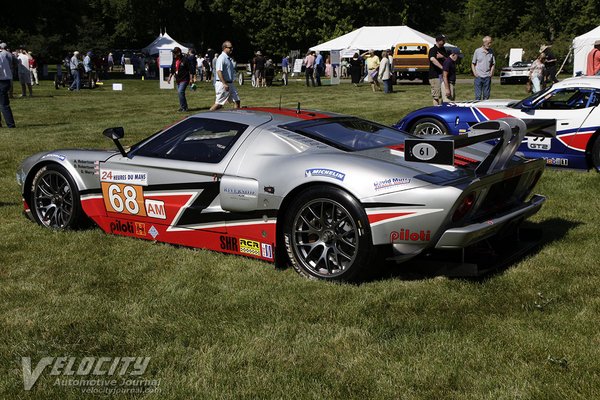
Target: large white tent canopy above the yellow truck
{"type": "Point", "coordinates": [376, 38]}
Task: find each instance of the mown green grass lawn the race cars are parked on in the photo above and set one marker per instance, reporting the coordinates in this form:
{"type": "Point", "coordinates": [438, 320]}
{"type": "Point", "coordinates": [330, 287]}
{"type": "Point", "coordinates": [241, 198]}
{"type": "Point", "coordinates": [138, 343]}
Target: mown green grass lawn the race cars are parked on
{"type": "Point", "coordinates": [218, 326]}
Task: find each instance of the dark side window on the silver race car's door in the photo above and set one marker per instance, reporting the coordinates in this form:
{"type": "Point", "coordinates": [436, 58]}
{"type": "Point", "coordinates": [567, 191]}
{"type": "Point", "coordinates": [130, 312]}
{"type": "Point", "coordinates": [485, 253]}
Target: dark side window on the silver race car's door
{"type": "Point", "coordinates": [195, 139]}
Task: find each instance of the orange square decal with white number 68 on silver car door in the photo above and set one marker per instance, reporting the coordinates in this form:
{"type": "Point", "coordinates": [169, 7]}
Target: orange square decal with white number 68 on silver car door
{"type": "Point", "coordinates": [124, 199]}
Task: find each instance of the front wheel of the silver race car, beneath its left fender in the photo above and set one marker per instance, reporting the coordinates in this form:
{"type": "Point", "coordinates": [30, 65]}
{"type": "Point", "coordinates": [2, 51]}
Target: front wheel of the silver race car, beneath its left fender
{"type": "Point", "coordinates": [54, 199]}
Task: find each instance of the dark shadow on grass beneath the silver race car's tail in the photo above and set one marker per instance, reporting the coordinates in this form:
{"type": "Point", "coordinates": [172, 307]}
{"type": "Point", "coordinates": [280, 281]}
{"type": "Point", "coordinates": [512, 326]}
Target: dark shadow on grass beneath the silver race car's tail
{"type": "Point", "coordinates": [485, 260]}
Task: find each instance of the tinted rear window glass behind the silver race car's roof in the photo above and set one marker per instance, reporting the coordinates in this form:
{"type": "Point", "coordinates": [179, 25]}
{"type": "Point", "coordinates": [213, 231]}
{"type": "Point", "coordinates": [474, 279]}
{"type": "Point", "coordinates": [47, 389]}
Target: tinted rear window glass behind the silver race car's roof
{"type": "Point", "coordinates": [349, 134]}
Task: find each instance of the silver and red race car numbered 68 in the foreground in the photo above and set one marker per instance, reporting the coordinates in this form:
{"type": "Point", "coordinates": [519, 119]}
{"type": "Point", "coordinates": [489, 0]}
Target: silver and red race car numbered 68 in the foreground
{"type": "Point", "coordinates": [324, 191]}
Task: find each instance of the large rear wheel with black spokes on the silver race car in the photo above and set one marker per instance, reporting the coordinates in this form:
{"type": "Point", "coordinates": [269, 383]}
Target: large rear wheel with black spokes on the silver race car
{"type": "Point", "coordinates": [327, 235]}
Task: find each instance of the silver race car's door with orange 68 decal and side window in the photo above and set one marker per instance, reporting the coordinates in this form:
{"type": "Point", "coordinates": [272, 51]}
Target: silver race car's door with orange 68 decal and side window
{"type": "Point", "coordinates": [171, 180]}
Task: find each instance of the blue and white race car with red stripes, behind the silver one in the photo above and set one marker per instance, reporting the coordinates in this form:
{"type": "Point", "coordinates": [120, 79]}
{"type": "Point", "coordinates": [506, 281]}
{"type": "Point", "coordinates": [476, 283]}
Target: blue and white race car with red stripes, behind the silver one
{"type": "Point", "coordinates": [573, 103]}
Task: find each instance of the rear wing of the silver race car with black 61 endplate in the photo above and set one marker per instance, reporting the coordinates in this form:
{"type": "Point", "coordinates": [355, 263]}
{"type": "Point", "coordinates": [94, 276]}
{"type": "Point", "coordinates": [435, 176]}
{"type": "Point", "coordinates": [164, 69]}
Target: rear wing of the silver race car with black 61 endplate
{"type": "Point", "coordinates": [508, 133]}
